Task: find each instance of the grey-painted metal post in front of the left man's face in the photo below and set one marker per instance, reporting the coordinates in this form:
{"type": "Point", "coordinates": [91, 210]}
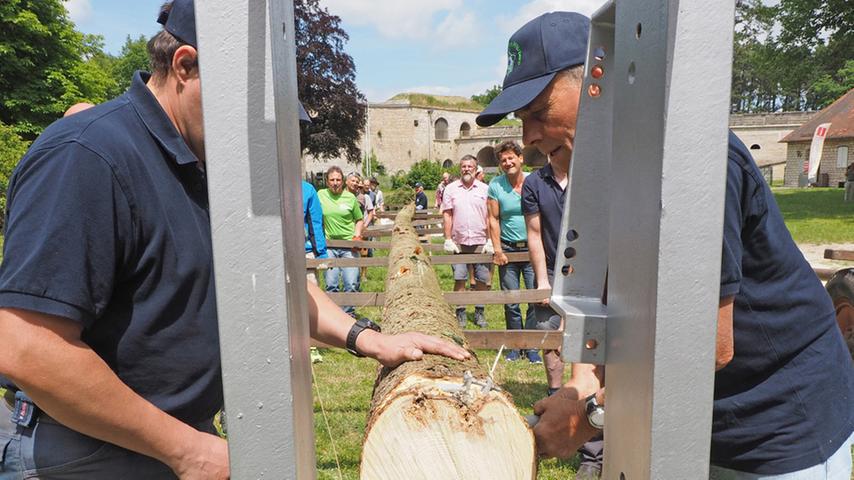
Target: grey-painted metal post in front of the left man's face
{"type": "Point", "coordinates": [252, 145]}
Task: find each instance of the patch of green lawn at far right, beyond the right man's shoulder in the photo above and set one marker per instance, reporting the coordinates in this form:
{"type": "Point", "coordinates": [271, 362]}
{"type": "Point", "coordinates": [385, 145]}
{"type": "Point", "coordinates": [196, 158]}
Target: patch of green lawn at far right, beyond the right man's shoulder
{"type": "Point", "coordinates": [817, 215]}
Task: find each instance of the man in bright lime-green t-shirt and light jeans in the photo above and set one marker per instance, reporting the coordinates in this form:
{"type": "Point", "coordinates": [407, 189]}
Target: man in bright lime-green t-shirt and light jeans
{"type": "Point", "coordinates": [342, 220]}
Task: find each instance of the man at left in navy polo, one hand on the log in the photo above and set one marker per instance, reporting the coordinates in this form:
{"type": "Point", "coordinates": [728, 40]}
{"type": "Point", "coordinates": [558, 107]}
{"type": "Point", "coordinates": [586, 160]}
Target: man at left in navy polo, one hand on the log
{"type": "Point", "coordinates": [110, 350]}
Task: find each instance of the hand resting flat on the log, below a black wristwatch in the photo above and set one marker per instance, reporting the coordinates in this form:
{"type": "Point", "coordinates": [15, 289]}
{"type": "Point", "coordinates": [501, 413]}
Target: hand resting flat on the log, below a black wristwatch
{"type": "Point", "coordinates": [392, 350]}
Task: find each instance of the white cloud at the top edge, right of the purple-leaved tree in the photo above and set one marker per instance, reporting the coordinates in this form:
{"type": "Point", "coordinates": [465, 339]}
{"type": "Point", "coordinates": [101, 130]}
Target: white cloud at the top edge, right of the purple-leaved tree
{"type": "Point", "coordinates": [393, 18]}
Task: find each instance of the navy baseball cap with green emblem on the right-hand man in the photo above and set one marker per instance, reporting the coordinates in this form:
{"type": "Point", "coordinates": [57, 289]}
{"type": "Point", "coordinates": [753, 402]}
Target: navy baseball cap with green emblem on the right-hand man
{"type": "Point", "coordinates": [535, 53]}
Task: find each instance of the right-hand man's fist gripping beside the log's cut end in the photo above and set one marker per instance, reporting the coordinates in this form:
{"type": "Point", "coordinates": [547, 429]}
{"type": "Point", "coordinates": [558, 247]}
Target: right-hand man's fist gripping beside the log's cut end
{"type": "Point", "coordinates": [563, 426]}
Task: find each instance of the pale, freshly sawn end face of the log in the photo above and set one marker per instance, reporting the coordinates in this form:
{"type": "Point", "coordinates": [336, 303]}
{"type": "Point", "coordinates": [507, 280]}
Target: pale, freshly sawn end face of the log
{"type": "Point", "coordinates": [431, 428]}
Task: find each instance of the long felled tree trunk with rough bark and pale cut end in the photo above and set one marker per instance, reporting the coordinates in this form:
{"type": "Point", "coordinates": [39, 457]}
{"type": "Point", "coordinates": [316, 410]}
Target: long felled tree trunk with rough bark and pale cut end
{"type": "Point", "coordinates": [424, 422]}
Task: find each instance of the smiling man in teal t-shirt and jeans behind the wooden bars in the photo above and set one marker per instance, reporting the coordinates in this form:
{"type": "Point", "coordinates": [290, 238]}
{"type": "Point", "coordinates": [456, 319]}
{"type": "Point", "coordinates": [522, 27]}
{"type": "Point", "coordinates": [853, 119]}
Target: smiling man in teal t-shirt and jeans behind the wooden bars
{"type": "Point", "coordinates": [508, 234]}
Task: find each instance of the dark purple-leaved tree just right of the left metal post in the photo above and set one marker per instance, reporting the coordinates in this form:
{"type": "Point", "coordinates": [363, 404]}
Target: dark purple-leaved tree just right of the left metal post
{"type": "Point", "coordinates": [326, 79]}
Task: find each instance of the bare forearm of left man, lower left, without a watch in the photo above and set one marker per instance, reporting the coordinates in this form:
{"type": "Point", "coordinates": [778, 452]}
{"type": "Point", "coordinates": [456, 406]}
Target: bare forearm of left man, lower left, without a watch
{"type": "Point", "coordinates": [47, 366]}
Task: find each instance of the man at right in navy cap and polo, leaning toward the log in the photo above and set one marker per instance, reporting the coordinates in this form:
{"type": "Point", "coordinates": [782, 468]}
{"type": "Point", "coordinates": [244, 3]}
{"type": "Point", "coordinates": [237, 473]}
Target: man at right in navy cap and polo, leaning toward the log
{"type": "Point", "coordinates": [784, 380]}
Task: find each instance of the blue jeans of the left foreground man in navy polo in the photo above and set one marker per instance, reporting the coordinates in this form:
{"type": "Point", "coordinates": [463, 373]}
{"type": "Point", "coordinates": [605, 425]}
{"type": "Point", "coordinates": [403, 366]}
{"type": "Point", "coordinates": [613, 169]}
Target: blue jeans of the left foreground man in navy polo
{"type": "Point", "coordinates": [49, 450]}
